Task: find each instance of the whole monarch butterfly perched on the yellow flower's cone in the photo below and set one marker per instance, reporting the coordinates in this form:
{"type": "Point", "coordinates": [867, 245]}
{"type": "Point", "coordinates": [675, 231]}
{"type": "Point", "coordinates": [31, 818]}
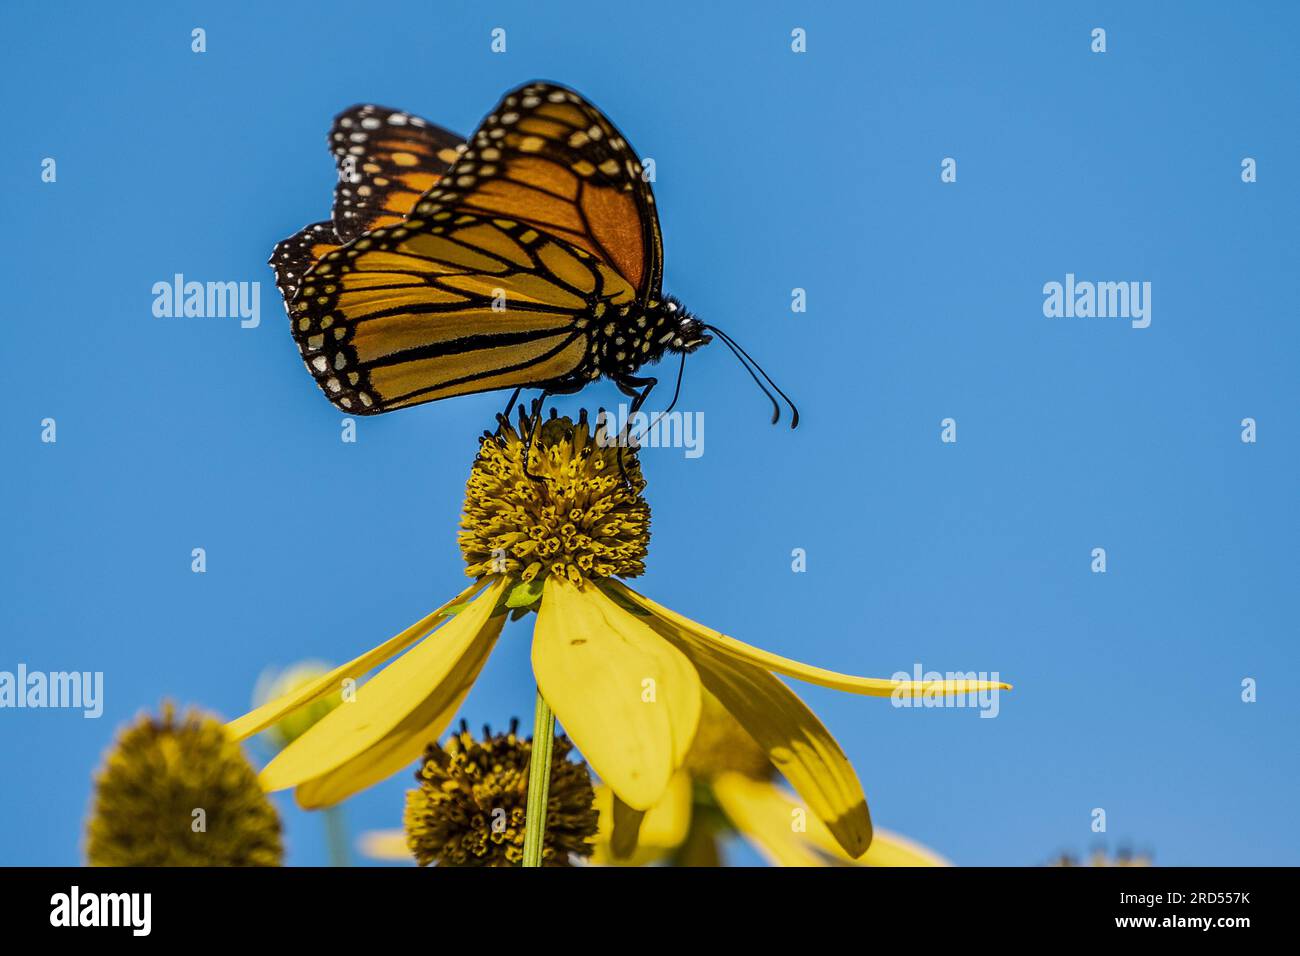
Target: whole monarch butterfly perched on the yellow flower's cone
{"type": "Point", "coordinates": [526, 257]}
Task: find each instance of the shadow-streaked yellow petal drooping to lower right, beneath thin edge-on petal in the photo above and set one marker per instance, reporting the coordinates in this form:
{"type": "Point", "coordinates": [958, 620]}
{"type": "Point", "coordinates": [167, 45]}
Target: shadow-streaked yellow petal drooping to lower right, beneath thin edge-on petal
{"type": "Point", "coordinates": [795, 739]}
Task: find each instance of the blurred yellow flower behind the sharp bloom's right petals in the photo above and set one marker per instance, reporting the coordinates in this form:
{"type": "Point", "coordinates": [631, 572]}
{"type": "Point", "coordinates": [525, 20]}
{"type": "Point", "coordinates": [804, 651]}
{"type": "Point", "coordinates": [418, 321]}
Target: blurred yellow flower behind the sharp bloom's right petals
{"type": "Point", "coordinates": [727, 786]}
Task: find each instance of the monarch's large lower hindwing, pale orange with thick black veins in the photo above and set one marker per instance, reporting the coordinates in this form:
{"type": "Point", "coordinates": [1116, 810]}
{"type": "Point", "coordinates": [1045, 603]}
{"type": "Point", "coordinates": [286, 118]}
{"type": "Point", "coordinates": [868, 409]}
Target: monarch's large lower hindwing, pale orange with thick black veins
{"type": "Point", "coordinates": [449, 306]}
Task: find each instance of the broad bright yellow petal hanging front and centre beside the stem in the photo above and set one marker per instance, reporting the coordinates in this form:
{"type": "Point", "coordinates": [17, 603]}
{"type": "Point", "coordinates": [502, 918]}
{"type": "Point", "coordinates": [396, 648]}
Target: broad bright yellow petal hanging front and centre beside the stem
{"type": "Point", "coordinates": [627, 698]}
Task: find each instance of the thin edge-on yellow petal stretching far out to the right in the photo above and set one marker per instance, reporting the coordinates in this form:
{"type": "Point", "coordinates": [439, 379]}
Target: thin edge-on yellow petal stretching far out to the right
{"type": "Point", "coordinates": [872, 687]}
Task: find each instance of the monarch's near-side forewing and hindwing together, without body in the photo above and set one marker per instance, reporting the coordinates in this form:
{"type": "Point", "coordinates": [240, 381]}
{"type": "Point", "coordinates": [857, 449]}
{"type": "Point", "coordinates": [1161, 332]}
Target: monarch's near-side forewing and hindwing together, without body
{"type": "Point", "coordinates": [541, 224]}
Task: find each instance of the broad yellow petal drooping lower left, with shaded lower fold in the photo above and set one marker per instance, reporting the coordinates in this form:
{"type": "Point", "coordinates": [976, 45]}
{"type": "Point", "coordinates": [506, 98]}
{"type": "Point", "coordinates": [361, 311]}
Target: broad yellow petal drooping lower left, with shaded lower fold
{"type": "Point", "coordinates": [411, 693]}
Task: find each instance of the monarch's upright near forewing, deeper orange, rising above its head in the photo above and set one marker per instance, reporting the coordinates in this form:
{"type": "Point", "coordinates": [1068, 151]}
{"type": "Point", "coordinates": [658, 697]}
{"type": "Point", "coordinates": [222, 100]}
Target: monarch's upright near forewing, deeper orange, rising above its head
{"type": "Point", "coordinates": [549, 158]}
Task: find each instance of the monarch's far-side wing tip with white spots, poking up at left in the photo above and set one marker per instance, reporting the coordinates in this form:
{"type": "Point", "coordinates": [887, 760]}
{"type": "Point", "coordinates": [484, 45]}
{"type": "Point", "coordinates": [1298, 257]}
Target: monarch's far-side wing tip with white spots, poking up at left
{"type": "Point", "coordinates": [387, 159]}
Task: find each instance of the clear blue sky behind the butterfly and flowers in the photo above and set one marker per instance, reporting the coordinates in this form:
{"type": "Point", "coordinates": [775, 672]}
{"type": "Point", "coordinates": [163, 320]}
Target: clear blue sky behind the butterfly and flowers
{"type": "Point", "coordinates": [774, 171]}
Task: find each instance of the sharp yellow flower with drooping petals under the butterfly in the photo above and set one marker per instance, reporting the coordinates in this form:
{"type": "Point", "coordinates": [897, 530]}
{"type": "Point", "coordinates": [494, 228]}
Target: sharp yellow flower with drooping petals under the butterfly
{"type": "Point", "coordinates": [622, 674]}
